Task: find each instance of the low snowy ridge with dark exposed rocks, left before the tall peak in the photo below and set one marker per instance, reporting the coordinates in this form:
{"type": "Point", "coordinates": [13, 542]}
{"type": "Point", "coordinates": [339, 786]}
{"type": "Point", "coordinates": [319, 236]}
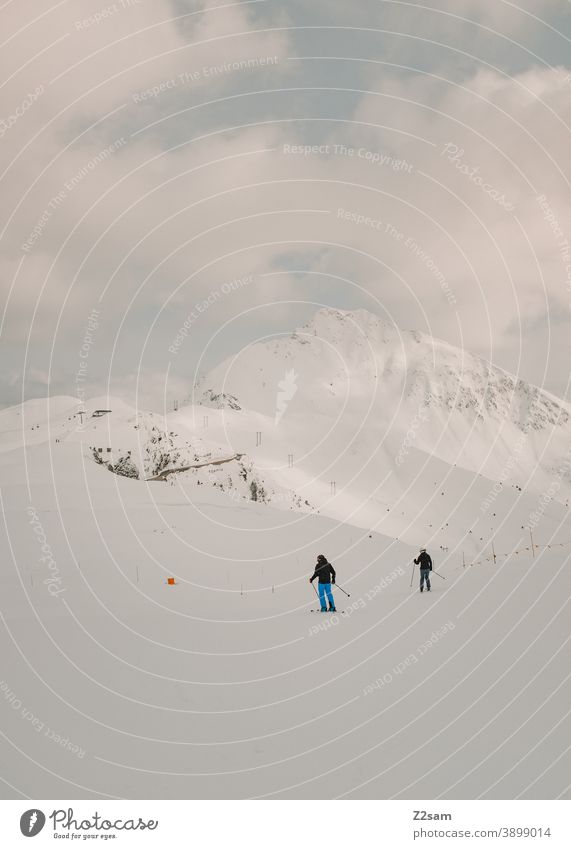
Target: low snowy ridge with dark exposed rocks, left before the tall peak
{"type": "Point", "coordinates": [139, 445]}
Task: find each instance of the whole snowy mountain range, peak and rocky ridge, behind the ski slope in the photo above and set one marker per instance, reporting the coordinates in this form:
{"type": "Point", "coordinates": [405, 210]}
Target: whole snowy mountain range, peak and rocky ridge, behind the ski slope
{"type": "Point", "coordinates": [348, 416]}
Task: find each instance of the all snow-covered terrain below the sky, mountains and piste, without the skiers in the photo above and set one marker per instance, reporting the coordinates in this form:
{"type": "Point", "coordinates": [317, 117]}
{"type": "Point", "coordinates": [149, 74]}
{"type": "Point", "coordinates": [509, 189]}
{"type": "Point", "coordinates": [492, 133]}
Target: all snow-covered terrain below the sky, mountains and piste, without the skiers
{"type": "Point", "coordinates": [224, 684]}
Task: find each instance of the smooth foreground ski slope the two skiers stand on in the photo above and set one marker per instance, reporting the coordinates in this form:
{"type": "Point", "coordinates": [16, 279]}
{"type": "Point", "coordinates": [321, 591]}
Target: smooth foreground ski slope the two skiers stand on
{"type": "Point", "coordinates": [115, 684]}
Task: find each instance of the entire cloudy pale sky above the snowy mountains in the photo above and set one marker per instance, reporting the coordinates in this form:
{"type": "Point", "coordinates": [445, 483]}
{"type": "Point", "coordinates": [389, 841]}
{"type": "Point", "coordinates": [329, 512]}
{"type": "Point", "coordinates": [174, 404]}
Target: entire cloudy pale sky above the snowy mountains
{"type": "Point", "coordinates": [411, 158]}
